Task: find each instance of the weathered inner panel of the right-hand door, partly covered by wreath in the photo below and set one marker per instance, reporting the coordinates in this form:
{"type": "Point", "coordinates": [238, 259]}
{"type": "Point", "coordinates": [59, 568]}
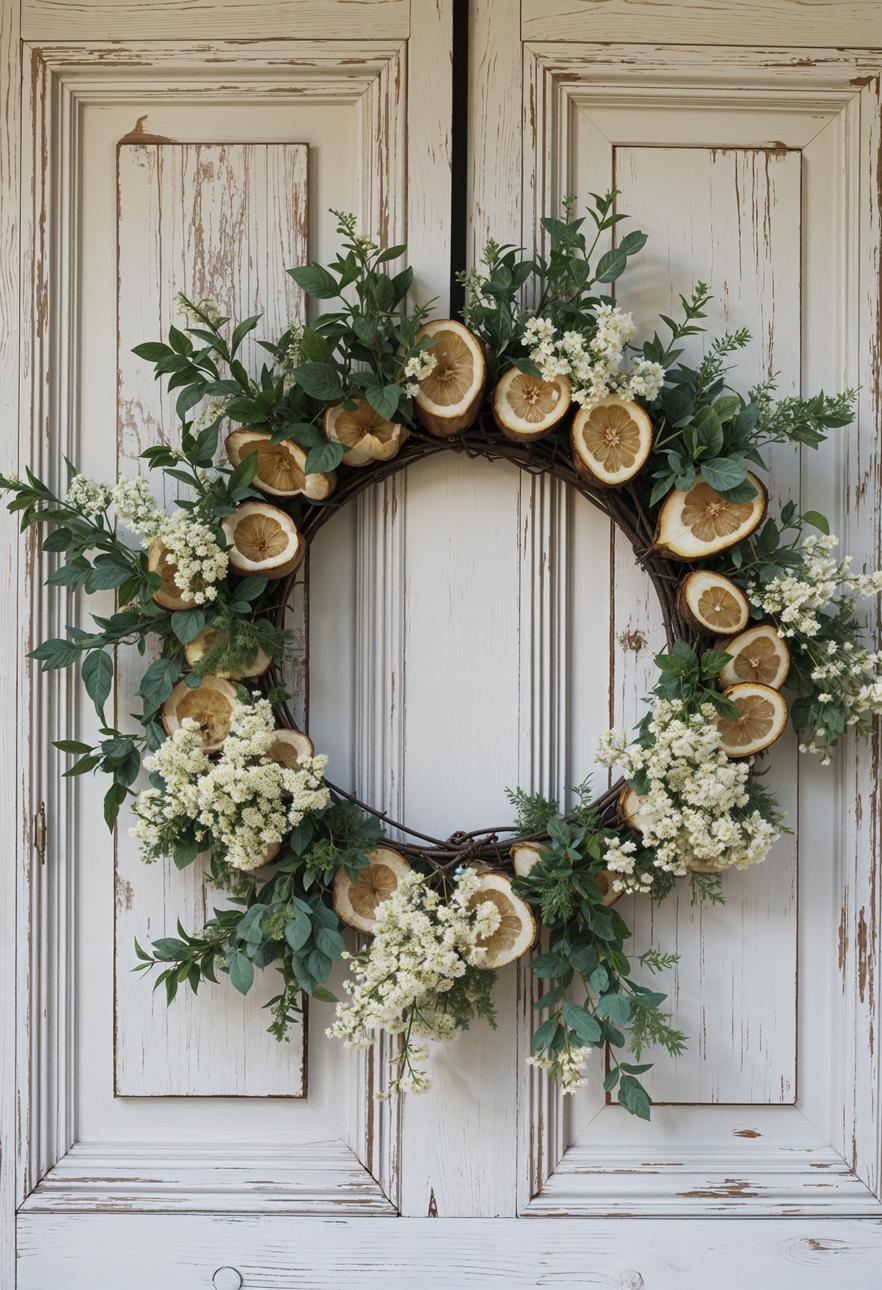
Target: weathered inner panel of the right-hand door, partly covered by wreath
{"type": "Point", "coordinates": [732, 217]}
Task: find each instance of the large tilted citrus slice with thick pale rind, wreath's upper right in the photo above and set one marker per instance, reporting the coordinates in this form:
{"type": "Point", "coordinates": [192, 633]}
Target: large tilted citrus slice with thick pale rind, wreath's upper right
{"type": "Point", "coordinates": [700, 523]}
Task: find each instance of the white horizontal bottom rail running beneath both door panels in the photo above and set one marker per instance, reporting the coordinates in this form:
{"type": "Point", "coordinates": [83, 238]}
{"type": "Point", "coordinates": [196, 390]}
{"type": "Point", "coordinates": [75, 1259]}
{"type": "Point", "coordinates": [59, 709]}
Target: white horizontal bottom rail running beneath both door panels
{"type": "Point", "coordinates": [310, 1255]}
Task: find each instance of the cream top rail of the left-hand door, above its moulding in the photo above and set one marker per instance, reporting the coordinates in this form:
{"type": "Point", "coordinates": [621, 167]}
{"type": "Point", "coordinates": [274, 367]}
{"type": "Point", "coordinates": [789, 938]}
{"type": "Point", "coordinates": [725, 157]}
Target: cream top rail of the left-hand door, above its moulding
{"type": "Point", "coordinates": [128, 20]}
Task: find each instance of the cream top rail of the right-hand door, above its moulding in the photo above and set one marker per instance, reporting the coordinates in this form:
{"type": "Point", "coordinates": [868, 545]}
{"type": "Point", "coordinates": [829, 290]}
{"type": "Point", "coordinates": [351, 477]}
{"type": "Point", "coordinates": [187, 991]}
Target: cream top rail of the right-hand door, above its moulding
{"type": "Point", "coordinates": [785, 23]}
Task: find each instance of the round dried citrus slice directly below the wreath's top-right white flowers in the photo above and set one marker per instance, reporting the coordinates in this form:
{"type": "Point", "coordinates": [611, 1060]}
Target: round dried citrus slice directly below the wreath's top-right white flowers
{"type": "Point", "coordinates": [611, 442]}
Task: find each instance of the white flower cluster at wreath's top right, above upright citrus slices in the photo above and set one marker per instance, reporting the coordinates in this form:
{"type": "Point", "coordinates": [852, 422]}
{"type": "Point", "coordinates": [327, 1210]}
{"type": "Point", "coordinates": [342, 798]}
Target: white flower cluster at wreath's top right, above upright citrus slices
{"type": "Point", "coordinates": [594, 363]}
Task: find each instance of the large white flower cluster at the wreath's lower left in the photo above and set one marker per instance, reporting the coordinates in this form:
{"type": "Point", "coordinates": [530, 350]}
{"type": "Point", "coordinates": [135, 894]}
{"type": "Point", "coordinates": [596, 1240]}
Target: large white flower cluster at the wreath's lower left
{"type": "Point", "coordinates": [244, 804]}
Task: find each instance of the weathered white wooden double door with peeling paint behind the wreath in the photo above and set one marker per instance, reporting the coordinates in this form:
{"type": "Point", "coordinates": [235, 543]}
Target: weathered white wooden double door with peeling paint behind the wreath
{"type": "Point", "coordinates": [460, 620]}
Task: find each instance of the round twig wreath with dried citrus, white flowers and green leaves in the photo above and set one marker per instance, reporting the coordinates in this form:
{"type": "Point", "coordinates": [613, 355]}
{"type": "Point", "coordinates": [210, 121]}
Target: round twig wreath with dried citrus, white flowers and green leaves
{"type": "Point", "coordinates": [542, 371]}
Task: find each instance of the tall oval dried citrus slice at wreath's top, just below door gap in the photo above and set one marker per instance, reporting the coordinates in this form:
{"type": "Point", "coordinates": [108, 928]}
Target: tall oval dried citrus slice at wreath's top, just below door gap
{"type": "Point", "coordinates": [451, 397]}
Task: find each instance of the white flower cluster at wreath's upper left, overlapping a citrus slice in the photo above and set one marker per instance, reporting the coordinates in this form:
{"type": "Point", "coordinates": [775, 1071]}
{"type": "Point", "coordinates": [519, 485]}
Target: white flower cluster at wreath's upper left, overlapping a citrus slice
{"type": "Point", "coordinates": [201, 563]}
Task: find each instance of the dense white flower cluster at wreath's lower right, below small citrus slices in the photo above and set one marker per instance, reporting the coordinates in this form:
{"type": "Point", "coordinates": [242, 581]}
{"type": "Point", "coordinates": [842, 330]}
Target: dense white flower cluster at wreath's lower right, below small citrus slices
{"type": "Point", "coordinates": [696, 815]}
